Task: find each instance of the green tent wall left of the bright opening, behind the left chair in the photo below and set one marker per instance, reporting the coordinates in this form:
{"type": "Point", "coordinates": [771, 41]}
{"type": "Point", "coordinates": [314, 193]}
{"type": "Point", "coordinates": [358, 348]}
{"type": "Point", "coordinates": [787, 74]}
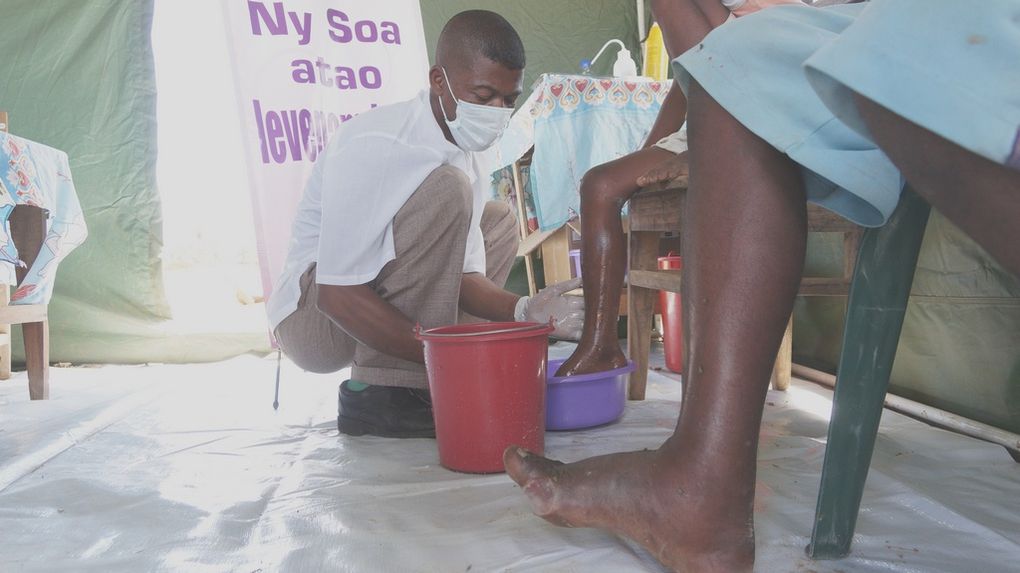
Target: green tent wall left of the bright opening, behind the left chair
{"type": "Point", "coordinates": [79, 77]}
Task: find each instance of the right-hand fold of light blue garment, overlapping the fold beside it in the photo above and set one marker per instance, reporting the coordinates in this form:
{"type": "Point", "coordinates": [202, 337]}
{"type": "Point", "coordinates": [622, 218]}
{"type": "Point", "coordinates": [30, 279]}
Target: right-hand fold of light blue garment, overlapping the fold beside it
{"type": "Point", "coordinates": [952, 68]}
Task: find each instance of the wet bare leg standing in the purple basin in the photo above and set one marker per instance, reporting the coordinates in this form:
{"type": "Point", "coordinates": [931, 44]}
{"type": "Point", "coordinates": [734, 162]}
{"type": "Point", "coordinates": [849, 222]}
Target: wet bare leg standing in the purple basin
{"type": "Point", "coordinates": [603, 192]}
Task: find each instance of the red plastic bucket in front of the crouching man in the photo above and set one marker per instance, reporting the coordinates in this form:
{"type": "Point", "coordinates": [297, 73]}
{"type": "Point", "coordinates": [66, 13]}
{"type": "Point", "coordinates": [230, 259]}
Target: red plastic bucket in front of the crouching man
{"type": "Point", "coordinates": [488, 384]}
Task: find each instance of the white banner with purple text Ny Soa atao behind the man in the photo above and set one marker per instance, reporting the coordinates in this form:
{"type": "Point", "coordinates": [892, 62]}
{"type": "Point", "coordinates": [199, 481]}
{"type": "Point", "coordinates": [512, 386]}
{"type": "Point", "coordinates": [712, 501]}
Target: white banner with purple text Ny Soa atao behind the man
{"type": "Point", "coordinates": [301, 69]}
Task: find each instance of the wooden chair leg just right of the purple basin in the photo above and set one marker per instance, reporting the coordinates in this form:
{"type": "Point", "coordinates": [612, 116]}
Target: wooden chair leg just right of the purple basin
{"type": "Point", "coordinates": [641, 306]}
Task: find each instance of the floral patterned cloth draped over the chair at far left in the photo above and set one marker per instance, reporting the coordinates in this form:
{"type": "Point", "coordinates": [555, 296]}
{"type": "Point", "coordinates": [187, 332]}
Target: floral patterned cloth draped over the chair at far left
{"type": "Point", "coordinates": [33, 174]}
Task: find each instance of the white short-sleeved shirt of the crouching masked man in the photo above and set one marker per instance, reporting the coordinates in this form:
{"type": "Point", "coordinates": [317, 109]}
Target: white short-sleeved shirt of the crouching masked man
{"type": "Point", "coordinates": [372, 167]}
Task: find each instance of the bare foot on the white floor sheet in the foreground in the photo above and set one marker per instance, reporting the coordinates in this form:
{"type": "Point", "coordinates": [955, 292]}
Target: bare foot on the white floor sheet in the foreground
{"type": "Point", "coordinates": [690, 525]}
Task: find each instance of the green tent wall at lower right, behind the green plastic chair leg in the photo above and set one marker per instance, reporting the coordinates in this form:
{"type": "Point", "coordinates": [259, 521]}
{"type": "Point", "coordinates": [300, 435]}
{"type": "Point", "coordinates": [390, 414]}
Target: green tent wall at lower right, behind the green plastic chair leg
{"type": "Point", "coordinates": [960, 347]}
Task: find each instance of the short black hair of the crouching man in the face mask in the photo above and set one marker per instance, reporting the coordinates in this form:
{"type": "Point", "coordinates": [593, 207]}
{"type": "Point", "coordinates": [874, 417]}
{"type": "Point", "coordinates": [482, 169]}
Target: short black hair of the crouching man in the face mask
{"type": "Point", "coordinates": [480, 33]}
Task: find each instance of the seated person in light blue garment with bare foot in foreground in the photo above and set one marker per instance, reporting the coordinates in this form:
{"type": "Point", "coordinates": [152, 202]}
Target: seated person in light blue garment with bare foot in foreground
{"type": "Point", "coordinates": [937, 96]}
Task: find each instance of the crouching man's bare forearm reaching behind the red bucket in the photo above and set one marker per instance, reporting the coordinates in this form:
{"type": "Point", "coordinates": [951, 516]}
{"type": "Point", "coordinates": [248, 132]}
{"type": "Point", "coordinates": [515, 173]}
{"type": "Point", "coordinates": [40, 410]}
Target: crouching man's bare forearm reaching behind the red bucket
{"type": "Point", "coordinates": [371, 321]}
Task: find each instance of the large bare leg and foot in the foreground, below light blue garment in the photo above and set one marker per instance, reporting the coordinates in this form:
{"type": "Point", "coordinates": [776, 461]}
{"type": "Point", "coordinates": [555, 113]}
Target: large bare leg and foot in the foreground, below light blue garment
{"type": "Point", "coordinates": [690, 503]}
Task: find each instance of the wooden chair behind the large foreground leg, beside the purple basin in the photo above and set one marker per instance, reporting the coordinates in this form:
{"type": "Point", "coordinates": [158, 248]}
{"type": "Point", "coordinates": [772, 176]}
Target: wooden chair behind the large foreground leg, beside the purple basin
{"type": "Point", "coordinates": [656, 211]}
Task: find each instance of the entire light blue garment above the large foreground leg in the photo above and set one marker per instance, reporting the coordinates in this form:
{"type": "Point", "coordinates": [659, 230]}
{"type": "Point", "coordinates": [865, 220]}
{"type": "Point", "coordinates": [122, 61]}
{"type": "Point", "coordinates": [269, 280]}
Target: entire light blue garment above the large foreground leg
{"type": "Point", "coordinates": [951, 67]}
